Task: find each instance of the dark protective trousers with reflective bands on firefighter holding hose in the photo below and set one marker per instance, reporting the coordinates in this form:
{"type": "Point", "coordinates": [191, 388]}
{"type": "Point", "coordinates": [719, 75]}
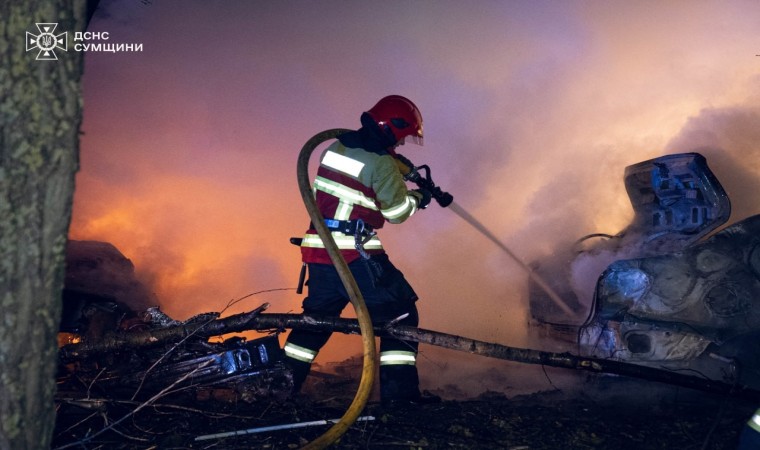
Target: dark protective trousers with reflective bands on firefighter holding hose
{"type": "Point", "coordinates": [388, 295]}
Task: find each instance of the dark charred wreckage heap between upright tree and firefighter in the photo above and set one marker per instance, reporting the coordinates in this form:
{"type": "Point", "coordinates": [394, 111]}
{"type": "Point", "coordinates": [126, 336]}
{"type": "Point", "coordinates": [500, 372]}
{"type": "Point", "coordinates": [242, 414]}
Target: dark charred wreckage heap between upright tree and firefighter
{"type": "Point", "coordinates": [102, 299]}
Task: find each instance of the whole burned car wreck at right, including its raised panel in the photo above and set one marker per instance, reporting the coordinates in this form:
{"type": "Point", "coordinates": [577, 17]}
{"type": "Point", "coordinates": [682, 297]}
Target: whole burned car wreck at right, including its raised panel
{"type": "Point", "coordinates": [666, 295]}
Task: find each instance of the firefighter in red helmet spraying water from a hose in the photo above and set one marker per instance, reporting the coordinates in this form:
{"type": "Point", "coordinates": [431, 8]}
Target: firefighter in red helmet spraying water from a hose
{"type": "Point", "coordinates": [358, 187]}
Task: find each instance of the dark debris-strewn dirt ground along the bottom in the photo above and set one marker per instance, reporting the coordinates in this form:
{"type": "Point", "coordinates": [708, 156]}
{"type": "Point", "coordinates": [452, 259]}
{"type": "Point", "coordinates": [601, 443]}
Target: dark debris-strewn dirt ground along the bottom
{"type": "Point", "coordinates": [605, 413]}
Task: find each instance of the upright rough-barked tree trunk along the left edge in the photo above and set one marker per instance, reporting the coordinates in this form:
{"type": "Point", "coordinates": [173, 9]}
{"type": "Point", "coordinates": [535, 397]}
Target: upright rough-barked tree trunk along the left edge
{"type": "Point", "coordinates": [40, 114]}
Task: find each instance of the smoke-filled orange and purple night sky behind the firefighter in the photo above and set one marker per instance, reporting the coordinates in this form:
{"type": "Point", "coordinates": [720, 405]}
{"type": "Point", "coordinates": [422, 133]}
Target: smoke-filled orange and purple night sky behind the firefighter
{"type": "Point", "coordinates": [532, 110]}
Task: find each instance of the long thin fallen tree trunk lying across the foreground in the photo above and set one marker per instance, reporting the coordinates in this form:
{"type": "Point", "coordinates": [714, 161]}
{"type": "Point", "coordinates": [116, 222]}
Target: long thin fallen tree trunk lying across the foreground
{"type": "Point", "coordinates": [255, 321]}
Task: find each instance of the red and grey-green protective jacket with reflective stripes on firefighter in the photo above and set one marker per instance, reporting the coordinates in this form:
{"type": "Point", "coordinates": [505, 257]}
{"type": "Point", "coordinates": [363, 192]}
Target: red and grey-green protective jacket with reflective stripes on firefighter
{"type": "Point", "coordinates": [357, 183]}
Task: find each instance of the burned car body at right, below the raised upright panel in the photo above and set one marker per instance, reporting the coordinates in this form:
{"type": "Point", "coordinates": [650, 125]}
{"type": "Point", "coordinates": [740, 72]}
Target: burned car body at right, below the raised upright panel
{"type": "Point", "coordinates": [696, 310]}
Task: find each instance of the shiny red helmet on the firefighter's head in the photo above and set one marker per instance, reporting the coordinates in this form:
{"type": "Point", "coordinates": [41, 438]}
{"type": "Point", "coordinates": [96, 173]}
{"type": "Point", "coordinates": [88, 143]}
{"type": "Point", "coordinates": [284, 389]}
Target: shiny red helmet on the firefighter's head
{"type": "Point", "coordinates": [399, 117]}
